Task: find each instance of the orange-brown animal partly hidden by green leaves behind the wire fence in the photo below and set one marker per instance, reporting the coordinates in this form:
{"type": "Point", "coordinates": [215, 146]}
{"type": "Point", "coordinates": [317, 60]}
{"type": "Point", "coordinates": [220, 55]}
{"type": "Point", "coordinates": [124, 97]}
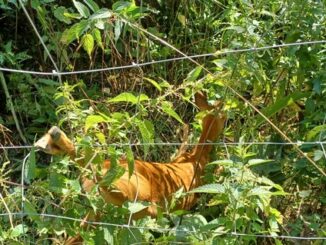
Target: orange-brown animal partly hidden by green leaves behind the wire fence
{"type": "Point", "coordinates": [152, 182]}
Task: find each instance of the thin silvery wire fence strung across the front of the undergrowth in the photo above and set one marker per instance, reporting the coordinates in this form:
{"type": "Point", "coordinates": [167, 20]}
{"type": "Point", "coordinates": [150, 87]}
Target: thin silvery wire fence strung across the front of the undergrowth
{"type": "Point", "coordinates": [57, 73]}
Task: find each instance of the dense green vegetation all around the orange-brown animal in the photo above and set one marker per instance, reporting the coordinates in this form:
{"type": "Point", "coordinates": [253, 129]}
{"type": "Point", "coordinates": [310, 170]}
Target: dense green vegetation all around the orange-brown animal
{"type": "Point", "coordinates": [264, 188]}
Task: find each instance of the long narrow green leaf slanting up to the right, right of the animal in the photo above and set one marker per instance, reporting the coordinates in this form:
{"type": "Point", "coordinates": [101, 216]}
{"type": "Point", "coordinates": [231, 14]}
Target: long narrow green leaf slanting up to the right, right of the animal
{"type": "Point", "coordinates": [279, 105]}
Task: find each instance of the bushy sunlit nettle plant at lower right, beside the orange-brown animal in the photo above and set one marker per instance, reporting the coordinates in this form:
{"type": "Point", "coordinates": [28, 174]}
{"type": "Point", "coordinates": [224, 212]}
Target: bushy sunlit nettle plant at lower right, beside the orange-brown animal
{"type": "Point", "coordinates": [243, 197]}
